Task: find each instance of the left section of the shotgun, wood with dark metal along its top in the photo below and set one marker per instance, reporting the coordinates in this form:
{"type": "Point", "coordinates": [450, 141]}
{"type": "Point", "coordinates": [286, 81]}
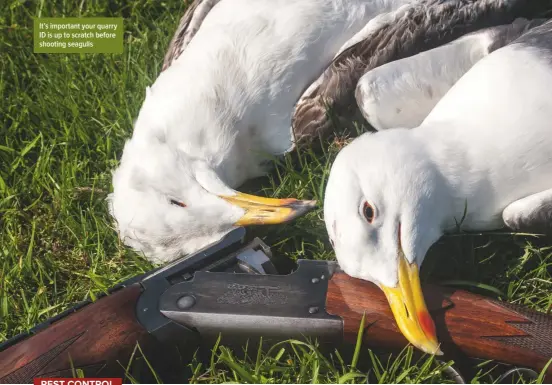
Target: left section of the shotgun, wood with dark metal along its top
{"type": "Point", "coordinates": [100, 337]}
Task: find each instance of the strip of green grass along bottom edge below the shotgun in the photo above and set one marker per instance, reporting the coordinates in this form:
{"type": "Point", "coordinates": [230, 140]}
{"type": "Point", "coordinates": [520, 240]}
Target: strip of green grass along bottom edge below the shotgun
{"type": "Point", "coordinates": [294, 361]}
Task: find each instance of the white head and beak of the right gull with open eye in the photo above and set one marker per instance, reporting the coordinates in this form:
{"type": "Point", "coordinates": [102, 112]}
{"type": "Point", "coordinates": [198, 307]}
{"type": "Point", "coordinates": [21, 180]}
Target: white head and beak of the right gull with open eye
{"type": "Point", "coordinates": [382, 211]}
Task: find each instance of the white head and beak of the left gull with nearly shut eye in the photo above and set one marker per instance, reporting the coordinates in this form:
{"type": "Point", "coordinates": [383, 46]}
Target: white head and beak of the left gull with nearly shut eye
{"type": "Point", "coordinates": [167, 204]}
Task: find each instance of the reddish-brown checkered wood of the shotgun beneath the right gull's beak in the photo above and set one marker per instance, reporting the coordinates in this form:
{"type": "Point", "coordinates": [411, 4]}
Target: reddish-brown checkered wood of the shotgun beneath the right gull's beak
{"type": "Point", "coordinates": [474, 325]}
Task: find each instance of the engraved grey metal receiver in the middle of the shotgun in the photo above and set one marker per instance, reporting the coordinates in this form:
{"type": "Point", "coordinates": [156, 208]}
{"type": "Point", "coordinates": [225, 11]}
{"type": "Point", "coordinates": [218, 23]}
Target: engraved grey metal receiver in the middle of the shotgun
{"type": "Point", "coordinates": [251, 305]}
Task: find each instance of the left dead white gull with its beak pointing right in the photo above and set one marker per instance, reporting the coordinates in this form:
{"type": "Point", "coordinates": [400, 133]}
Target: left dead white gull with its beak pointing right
{"type": "Point", "coordinates": [220, 109]}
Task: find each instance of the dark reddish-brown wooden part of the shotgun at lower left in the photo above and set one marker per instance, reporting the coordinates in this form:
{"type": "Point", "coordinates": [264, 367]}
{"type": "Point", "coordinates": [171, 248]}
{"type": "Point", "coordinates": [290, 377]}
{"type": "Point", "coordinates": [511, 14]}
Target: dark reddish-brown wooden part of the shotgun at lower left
{"type": "Point", "coordinates": [94, 337]}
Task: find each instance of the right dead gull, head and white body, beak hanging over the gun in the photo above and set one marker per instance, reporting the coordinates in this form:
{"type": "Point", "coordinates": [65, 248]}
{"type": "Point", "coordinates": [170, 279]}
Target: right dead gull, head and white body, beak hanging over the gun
{"type": "Point", "coordinates": [481, 158]}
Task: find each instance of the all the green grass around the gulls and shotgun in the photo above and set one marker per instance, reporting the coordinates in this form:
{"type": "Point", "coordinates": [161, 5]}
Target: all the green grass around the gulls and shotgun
{"type": "Point", "coordinates": [64, 119]}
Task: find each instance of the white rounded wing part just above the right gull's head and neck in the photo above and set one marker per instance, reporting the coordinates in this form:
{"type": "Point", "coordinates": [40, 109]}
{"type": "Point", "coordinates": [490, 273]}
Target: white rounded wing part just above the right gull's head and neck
{"type": "Point", "coordinates": [402, 93]}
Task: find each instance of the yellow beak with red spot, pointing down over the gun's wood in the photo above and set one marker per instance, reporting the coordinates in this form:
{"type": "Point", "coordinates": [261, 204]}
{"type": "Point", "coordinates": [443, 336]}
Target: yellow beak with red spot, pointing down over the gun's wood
{"type": "Point", "coordinates": [409, 308]}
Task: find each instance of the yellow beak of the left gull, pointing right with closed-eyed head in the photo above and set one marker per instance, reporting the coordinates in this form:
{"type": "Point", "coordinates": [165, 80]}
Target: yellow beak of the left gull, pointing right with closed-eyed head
{"type": "Point", "coordinates": [268, 211]}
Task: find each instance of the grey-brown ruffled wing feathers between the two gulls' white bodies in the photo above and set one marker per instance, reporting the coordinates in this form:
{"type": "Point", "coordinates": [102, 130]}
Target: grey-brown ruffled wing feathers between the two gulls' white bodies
{"type": "Point", "coordinates": [423, 26]}
